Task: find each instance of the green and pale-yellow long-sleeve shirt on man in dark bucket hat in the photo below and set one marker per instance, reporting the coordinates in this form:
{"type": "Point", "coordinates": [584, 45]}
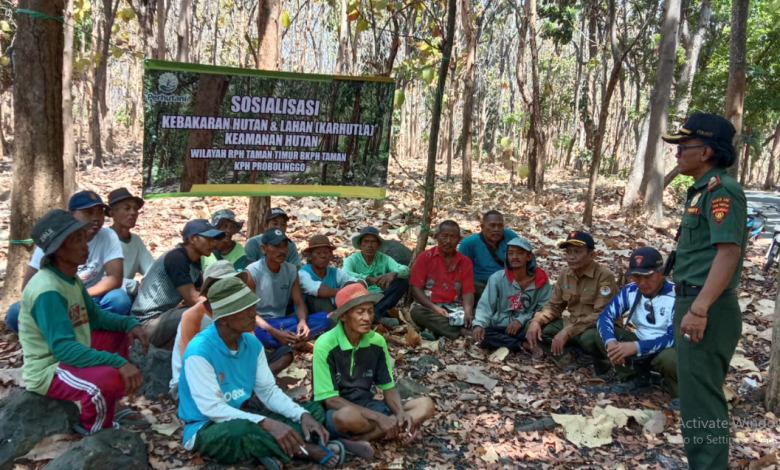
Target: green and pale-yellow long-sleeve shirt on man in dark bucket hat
{"type": "Point", "coordinates": [55, 323]}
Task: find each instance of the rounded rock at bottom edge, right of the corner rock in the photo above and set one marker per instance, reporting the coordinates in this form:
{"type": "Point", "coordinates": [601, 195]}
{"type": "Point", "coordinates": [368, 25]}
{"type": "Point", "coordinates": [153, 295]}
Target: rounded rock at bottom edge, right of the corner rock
{"type": "Point", "coordinates": [109, 448]}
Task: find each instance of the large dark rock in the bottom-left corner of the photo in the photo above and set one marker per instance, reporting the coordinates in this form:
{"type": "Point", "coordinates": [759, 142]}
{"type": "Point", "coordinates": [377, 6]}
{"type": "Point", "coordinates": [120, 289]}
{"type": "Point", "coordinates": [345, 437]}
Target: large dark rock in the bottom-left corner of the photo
{"type": "Point", "coordinates": [26, 418]}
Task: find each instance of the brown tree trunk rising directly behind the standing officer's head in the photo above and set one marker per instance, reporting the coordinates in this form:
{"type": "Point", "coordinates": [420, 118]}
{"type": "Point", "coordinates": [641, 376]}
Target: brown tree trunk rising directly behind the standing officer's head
{"type": "Point", "coordinates": [735, 93]}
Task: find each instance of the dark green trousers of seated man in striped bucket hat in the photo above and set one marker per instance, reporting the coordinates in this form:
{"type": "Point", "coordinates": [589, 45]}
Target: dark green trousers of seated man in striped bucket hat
{"type": "Point", "coordinates": [240, 439]}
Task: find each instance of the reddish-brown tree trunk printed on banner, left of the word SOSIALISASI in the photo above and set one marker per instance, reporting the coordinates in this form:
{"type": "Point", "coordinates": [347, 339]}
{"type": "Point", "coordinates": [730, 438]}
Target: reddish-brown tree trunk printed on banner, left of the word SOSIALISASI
{"type": "Point", "coordinates": [206, 102]}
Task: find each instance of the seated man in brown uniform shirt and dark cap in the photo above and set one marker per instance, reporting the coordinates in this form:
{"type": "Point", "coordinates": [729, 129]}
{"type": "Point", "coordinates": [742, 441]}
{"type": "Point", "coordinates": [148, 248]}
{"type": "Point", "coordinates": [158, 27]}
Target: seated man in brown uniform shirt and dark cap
{"type": "Point", "coordinates": [584, 289]}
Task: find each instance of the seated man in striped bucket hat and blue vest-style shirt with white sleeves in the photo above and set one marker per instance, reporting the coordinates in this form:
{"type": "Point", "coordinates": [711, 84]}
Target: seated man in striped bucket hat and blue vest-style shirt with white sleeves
{"type": "Point", "coordinates": [223, 365]}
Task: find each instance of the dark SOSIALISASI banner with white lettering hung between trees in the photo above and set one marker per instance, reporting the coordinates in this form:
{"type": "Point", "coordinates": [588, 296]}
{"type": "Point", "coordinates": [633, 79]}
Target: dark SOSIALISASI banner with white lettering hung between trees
{"type": "Point", "coordinates": [220, 131]}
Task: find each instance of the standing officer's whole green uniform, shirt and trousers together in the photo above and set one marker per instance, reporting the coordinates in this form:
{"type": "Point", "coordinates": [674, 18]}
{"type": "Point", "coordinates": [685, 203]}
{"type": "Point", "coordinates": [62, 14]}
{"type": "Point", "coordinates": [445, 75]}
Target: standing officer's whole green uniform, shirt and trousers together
{"type": "Point", "coordinates": [715, 212]}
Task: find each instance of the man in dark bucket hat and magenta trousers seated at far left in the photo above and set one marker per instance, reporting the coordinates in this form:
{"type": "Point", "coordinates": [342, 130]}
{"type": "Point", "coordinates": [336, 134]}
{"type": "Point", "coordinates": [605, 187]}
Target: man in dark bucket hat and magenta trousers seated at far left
{"type": "Point", "coordinates": [73, 350]}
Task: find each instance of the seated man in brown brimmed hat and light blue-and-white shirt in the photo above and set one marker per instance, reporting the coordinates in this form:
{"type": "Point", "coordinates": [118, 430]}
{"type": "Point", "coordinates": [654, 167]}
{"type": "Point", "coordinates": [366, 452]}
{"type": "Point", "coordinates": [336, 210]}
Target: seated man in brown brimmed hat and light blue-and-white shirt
{"type": "Point", "coordinates": [320, 283]}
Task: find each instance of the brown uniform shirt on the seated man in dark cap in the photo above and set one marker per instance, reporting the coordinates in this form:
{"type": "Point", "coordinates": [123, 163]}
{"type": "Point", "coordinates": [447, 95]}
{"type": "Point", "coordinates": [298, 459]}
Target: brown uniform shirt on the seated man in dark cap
{"type": "Point", "coordinates": [584, 297]}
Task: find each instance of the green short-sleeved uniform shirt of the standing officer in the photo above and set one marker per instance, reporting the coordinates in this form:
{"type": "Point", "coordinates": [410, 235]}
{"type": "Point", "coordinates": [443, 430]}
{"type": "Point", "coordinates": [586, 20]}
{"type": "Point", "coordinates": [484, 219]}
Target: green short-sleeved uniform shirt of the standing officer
{"type": "Point", "coordinates": [715, 212]}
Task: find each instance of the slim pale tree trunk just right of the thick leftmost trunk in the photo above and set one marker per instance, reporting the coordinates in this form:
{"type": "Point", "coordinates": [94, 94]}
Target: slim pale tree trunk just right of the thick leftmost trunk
{"type": "Point", "coordinates": [70, 162]}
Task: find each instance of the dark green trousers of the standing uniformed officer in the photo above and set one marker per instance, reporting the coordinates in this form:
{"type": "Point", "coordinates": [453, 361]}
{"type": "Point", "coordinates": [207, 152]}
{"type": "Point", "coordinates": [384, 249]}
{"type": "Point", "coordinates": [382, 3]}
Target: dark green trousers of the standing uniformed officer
{"type": "Point", "coordinates": [702, 368]}
